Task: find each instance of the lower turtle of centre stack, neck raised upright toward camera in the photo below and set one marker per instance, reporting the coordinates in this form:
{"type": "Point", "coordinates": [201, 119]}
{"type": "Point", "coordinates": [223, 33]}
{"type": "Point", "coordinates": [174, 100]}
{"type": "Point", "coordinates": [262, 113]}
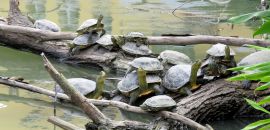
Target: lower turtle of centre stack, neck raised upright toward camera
{"type": "Point", "coordinates": [135, 84]}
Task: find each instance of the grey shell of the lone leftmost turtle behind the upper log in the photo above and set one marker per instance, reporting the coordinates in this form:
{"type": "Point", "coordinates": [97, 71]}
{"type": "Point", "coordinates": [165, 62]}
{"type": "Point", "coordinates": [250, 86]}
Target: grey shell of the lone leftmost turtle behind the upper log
{"type": "Point", "coordinates": [45, 24]}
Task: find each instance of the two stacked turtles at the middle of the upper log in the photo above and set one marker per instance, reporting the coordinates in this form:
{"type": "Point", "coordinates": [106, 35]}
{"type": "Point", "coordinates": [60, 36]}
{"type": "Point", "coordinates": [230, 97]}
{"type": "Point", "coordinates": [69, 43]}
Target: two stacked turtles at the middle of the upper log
{"type": "Point", "coordinates": [134, 43]}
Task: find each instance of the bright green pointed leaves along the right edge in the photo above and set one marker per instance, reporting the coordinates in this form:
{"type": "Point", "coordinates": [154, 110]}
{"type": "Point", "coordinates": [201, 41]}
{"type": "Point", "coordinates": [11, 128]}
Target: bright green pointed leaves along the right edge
{"type": "Point", "coordinates": [258, 72]}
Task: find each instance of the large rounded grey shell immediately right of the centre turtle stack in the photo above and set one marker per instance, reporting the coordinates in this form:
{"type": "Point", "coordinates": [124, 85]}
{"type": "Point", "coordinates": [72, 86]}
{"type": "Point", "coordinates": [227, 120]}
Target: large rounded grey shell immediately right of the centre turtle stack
{"type": "Point", "coordinates": [176, 77]}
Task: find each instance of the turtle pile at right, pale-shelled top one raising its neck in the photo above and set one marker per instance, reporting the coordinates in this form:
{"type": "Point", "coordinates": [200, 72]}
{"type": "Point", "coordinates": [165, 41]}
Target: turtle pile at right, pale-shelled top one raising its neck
{"type": "Point", "coordinates": [219, 58]}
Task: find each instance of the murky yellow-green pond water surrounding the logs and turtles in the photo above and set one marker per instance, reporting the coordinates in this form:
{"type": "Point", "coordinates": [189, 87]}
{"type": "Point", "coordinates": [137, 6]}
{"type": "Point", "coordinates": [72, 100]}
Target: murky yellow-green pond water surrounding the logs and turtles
{"type": "Point", "coordinates": [28, 111]}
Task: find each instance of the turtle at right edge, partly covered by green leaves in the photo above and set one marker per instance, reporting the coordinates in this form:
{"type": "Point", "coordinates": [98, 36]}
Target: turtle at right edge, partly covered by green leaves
{"type": "Point", "coordinates": [252, 59]}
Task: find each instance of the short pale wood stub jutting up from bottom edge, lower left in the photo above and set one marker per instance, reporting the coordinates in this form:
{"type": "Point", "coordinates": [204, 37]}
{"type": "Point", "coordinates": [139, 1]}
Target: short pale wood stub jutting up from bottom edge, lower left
{"type": "Point", "coordinates": [63, 124]}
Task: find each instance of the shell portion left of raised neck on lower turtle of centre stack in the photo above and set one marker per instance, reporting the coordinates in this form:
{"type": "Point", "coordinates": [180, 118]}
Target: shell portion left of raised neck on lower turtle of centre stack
{"type": "Point", "coordinates": [129, 83]}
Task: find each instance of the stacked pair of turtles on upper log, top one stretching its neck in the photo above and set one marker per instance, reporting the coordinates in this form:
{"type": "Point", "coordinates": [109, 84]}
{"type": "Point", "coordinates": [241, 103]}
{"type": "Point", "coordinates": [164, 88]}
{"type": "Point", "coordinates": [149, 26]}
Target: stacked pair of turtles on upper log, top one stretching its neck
{"type": "Point", "coordinates": [89, 33]}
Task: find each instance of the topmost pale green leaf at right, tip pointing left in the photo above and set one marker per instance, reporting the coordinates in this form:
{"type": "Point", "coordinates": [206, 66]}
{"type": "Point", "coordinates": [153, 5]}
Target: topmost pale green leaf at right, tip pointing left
{"type": "Point", "coordinates": [245, 17]}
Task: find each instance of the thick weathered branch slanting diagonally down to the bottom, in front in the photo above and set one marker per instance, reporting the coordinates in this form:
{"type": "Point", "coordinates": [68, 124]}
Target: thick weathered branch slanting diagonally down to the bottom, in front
{"type": "Point", "coordinates": [90, 110]}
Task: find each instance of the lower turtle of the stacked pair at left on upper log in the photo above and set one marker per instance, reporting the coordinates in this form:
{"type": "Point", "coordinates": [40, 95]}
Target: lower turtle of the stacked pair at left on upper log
{"type": "Point", "coordinates": [81, 42]}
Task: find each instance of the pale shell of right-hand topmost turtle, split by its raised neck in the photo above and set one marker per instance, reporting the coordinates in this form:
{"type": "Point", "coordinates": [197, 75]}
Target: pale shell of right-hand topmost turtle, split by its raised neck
{"type": "Point", "coordinates": [219, 50]}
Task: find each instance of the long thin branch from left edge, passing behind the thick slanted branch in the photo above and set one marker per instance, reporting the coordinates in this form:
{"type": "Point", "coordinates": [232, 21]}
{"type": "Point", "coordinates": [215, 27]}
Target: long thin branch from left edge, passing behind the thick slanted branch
{"type": "Point", "coordinates": [121, 105]}
